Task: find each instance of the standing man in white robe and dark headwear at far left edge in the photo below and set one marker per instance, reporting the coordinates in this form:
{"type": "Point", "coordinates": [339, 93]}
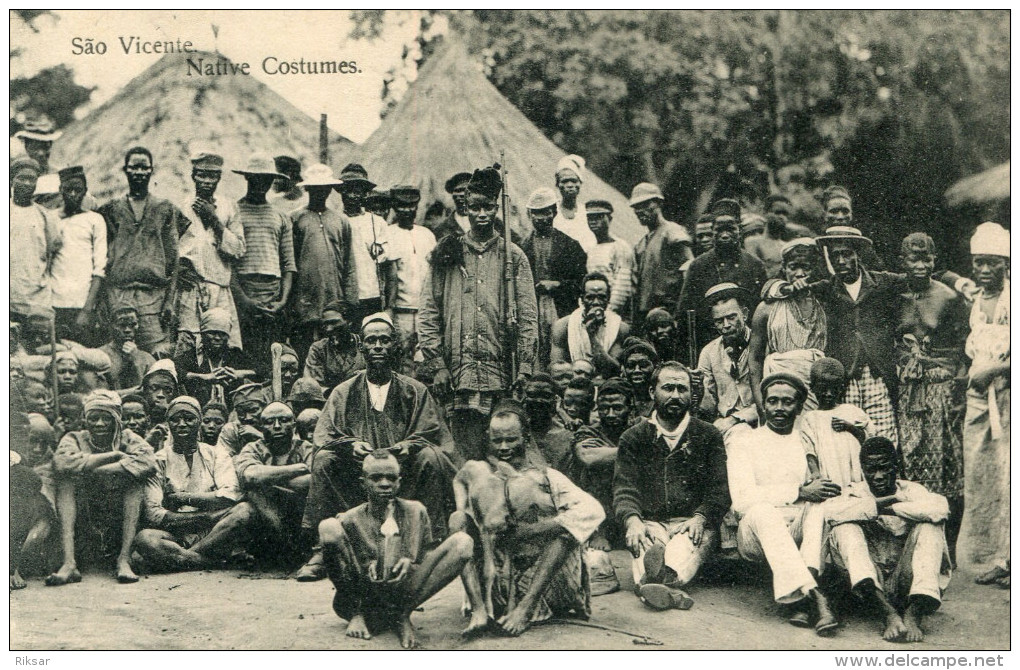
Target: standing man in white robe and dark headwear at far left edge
{"type": "Point", "coordinates": [35, 241]}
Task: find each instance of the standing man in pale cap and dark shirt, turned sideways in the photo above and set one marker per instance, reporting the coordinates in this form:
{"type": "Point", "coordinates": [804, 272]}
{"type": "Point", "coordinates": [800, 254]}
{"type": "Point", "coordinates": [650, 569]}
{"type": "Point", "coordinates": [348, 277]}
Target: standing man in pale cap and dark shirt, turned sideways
{"type": "Point", "coordinates": [659, 255]}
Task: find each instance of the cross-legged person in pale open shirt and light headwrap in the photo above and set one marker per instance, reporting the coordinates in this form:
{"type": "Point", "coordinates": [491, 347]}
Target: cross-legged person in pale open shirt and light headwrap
{"type": "Point", "coordinates": [192, 517]}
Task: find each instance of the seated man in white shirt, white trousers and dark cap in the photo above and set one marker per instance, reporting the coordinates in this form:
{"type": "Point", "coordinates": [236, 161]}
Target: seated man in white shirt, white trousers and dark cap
{"type": "Point", "coordinates": [775, 502]}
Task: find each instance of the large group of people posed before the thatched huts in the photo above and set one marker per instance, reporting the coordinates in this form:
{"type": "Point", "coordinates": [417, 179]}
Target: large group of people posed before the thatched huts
{"type": "Point", "coordinates": [343, 393]}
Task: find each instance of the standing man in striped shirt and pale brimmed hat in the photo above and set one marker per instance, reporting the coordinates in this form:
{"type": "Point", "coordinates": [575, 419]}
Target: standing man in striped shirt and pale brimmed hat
{"type": "Point", "coordinates": [265, 277]}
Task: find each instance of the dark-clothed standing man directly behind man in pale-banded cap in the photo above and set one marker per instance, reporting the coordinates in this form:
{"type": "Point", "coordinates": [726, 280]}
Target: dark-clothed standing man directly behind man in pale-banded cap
{"type": "Point", "coordinates": [727, 263]}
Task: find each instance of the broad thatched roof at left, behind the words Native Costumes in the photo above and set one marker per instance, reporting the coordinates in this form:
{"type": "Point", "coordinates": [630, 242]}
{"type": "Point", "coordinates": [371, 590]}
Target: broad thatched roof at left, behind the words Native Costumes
{"type": "Point", "coordinates": [168, 112]}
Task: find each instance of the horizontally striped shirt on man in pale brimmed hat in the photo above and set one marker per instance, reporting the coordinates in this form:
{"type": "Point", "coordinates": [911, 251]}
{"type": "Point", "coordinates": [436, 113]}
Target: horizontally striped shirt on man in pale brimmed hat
{"type": "Point", "coordinates": [269, 241]}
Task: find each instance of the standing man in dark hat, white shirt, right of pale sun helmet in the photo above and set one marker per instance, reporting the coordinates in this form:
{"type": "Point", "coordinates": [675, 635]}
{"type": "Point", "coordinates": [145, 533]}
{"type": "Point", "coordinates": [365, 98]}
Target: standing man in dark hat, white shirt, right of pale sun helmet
{"type": "Point", "coordinates": [374, 254]}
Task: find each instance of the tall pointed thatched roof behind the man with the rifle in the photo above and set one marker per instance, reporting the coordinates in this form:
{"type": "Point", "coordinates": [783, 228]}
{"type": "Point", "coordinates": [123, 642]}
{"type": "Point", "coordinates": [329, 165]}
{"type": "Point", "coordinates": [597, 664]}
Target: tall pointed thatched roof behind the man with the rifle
{"type": "Point", "coordinates": [453, 120]}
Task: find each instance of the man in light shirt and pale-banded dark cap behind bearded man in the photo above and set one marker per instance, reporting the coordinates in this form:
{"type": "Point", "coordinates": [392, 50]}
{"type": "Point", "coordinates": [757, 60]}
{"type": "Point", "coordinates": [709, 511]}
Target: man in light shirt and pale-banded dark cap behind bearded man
{"type": "Point", "coordinates": [729, 401]}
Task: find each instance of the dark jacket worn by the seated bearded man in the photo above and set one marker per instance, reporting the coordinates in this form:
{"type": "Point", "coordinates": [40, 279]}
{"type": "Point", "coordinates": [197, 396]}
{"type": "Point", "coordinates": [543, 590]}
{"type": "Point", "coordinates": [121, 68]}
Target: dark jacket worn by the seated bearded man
{"type": "Point", "coordinates": [658, 485]}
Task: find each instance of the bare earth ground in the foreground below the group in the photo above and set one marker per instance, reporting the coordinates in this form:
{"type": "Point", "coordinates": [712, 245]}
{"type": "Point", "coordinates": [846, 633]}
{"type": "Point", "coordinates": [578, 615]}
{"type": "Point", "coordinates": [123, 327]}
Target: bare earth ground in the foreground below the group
{"type": "Point", "coordinates": [230, 610]}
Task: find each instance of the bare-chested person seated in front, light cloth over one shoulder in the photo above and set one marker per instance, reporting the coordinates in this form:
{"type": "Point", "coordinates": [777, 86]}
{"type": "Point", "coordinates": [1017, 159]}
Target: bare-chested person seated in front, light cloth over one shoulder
{"type": "Point", "coordinates": [532, 519]}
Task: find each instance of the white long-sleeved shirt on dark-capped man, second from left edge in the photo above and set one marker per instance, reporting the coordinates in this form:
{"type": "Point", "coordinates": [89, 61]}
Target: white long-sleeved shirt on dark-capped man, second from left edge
{"type": "Point", "coordinates": [82, 257]}
